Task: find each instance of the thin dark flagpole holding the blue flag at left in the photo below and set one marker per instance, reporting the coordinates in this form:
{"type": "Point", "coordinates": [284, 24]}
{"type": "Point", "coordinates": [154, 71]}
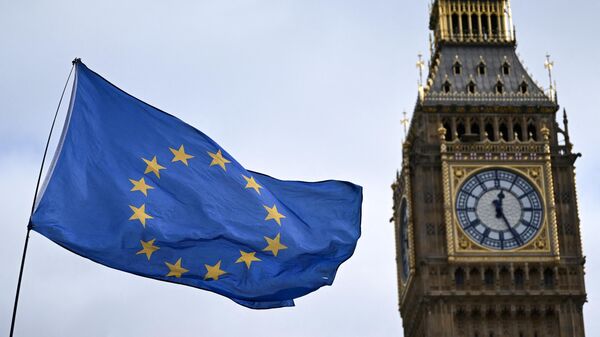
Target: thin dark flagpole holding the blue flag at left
{"type": "Point", "coordinates": [37, 186]}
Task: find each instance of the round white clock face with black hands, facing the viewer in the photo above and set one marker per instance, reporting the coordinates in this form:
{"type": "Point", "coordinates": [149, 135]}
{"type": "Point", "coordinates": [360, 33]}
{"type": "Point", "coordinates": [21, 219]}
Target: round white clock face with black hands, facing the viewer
{"type": "Point", "coordinates": [499, 209]}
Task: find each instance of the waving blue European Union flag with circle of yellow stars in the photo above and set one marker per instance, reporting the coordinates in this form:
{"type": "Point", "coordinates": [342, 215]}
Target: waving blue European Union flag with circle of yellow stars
{"type": "Point", "coordinates": [136, 189]}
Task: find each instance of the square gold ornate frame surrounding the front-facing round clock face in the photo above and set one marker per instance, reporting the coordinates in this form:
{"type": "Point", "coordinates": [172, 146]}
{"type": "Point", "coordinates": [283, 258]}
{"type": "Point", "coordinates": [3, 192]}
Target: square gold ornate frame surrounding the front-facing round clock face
{"type": "Point", "coordinates": [456, 169]}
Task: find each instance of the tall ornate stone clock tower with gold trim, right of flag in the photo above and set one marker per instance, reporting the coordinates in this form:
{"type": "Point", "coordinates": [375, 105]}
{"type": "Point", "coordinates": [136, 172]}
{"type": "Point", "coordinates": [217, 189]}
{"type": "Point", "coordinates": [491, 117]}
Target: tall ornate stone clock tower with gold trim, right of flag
{"type": "Point", "coordinates": [485, 205]}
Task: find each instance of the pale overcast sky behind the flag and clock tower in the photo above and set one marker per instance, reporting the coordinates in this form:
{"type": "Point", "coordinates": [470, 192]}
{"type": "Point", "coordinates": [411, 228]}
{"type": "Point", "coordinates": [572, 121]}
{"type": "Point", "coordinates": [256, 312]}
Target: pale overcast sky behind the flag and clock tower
{"type": "Point", "coordinates": [321, 84]}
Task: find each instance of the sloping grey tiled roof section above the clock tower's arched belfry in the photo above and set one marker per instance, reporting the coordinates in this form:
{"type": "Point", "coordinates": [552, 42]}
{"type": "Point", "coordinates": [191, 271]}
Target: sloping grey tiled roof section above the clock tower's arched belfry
{"type": "Point", "coordinates": [494, 72]}
